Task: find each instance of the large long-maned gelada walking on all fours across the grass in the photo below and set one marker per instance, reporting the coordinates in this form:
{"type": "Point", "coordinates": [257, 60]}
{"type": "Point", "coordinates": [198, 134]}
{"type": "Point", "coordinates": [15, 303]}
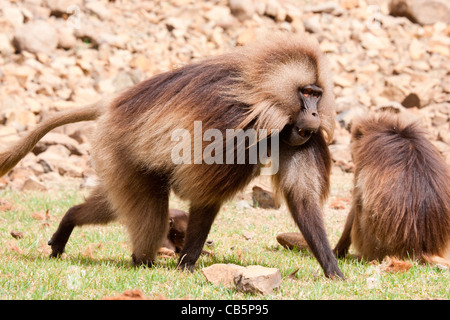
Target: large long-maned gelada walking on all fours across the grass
{"type": "Point", "coordinates": [278, 84]}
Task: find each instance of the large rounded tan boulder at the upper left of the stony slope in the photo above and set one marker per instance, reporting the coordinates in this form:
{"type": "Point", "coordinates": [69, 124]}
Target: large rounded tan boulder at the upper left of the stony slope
{"type": "Point", "coordinates": [36, 37]}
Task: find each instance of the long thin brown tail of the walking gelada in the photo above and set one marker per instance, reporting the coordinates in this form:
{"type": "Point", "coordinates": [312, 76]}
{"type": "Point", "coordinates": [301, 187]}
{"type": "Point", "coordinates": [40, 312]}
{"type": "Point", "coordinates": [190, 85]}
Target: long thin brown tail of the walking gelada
{"type": "Point", "coordinates": [10, 157]}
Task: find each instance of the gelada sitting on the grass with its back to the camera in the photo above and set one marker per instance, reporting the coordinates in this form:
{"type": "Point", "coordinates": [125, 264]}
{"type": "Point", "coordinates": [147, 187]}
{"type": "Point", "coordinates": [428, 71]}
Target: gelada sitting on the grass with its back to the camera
{"type": "Point", "coordinates": [401, 195]}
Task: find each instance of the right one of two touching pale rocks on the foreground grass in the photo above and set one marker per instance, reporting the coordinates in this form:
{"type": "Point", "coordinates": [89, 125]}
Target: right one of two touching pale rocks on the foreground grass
{"type": "Point", "coordinates": [257, 279]}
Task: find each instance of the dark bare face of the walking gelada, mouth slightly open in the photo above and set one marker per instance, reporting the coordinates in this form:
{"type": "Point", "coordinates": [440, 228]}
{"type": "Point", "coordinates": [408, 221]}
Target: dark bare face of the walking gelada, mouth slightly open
{"type": "Point", "coordinates": [307, 122]}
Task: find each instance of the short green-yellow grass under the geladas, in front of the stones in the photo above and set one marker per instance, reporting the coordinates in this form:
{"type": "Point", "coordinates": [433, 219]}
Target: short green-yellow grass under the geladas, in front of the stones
{"type": "Point", "coordinates": [97, 261]}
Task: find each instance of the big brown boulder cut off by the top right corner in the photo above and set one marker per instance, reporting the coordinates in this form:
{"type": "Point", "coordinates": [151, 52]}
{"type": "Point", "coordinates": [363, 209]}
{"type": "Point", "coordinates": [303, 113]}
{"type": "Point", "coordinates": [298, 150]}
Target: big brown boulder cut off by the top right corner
{"type": "Point", "coordinates": [421, 11]}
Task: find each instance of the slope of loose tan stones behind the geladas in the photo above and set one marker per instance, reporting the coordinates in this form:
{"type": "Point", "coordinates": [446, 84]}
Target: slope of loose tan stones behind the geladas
{"type": "Point", "coordinates": [59, 54]}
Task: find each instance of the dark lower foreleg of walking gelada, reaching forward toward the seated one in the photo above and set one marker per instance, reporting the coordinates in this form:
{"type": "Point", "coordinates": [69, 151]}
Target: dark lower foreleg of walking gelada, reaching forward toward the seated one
{"type": "Point", "coordinates": [308, 217]}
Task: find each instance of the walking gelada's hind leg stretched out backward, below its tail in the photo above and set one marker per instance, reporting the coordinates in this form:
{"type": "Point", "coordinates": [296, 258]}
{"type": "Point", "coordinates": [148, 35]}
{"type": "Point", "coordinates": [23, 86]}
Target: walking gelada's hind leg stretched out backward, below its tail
{"type": "Point", "coordinates": [95, 210]}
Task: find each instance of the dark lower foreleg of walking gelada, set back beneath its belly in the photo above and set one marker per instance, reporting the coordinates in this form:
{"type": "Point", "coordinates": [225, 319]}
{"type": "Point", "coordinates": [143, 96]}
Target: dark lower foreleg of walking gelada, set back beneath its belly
{"type": "Point", "coordinates": [200, 221]}
